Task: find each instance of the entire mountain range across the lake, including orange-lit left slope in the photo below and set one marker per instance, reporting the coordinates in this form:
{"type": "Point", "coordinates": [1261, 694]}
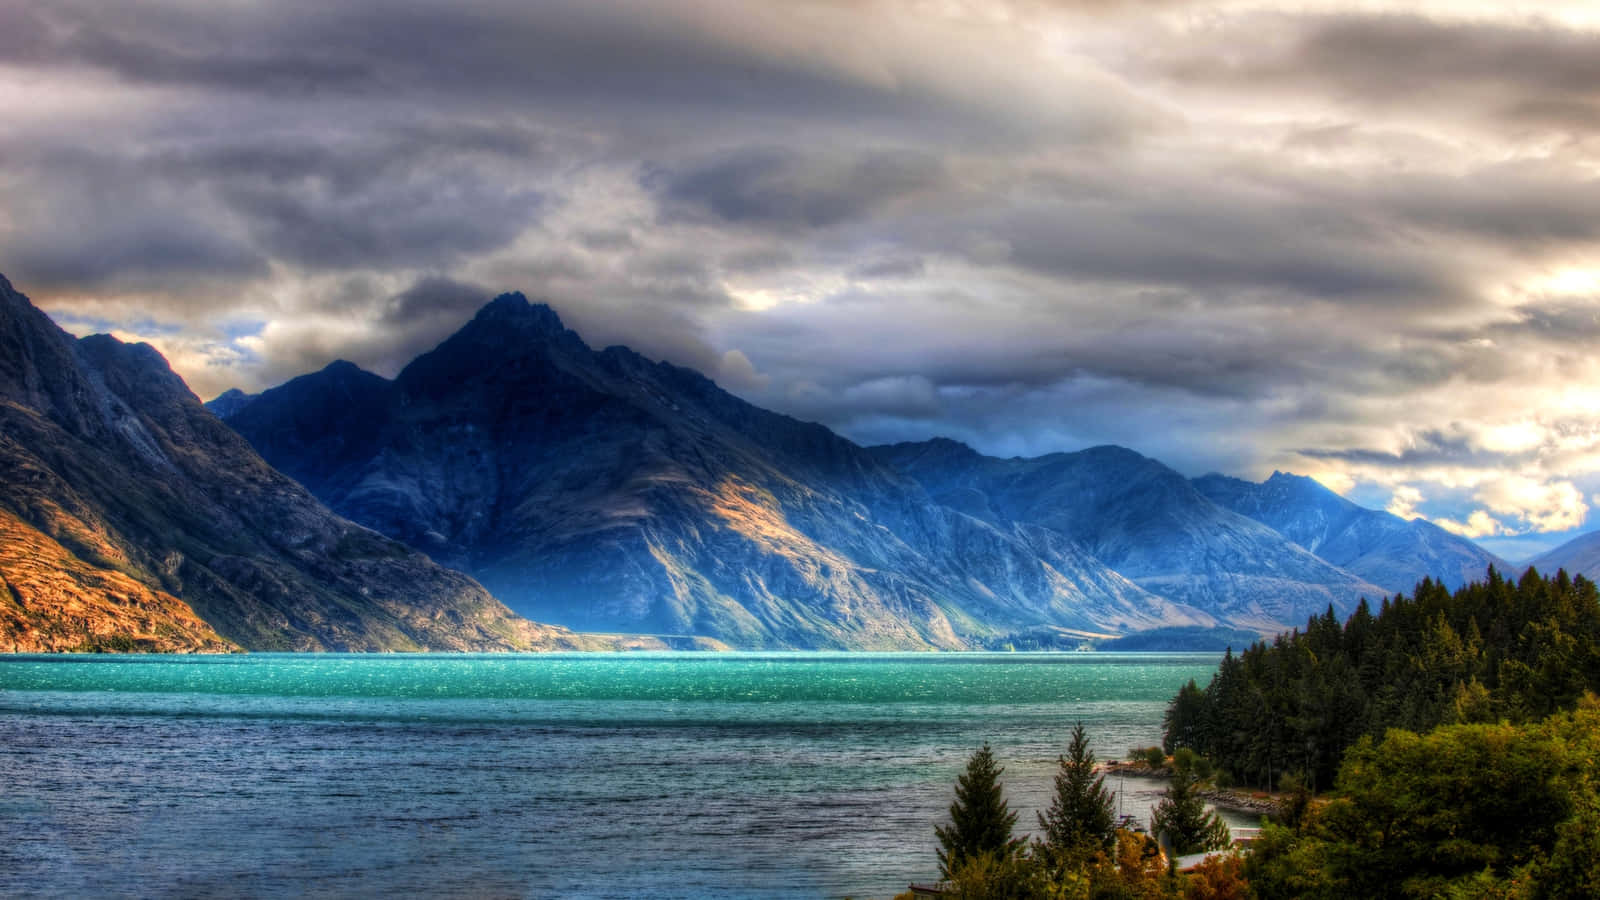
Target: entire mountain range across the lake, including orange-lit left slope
{"type": "Point", "coordinates": [516, 473]}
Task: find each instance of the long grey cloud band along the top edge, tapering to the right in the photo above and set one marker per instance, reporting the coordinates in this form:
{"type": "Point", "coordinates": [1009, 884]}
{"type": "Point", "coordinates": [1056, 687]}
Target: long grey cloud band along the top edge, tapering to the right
{"type": "Point", "coordinates": [668, 57]}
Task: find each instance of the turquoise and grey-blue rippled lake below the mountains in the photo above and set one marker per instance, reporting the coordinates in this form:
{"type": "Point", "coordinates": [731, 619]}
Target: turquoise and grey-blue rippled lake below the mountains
{"type": "Point", "coordinates": [534, 776]}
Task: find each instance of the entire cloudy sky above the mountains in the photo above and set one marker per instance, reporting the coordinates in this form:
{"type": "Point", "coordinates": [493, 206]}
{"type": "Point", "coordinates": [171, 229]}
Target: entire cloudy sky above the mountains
{"type": "Point", "coordinates": [1358, 241]}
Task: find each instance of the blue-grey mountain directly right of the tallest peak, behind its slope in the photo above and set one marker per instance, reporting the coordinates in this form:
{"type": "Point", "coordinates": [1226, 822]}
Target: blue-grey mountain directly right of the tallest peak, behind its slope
{"type": "Point", "coordinates": [1145, 521]}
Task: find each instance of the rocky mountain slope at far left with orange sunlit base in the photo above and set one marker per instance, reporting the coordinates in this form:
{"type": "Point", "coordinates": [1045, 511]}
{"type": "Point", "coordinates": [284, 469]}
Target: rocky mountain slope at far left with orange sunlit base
{"type": "Point", "coordinates": [134, 520]}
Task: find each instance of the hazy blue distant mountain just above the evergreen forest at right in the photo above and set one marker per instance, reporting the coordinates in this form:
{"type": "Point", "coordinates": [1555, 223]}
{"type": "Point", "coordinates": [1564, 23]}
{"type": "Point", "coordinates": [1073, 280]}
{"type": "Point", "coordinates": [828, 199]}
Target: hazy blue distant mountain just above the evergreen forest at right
{"type": "Point", "coordinates": [1378, 547]}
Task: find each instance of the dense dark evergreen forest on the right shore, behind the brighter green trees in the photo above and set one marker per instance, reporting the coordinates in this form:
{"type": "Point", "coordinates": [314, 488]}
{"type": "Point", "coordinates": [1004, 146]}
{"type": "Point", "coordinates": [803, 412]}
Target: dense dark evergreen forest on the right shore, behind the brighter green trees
{"type": "Point", "coordinates": [1489, 653]}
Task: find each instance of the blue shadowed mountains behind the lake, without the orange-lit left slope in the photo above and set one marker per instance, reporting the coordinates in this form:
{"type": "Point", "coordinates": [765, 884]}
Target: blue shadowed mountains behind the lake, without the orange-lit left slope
{"type": "Point", "coordinates": [602, 491]}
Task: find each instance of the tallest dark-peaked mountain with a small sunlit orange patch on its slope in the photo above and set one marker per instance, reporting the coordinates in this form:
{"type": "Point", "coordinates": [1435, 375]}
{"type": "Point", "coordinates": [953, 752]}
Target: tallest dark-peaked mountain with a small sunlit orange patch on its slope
{"type": "Point", "coordinates": [607, 492]}
